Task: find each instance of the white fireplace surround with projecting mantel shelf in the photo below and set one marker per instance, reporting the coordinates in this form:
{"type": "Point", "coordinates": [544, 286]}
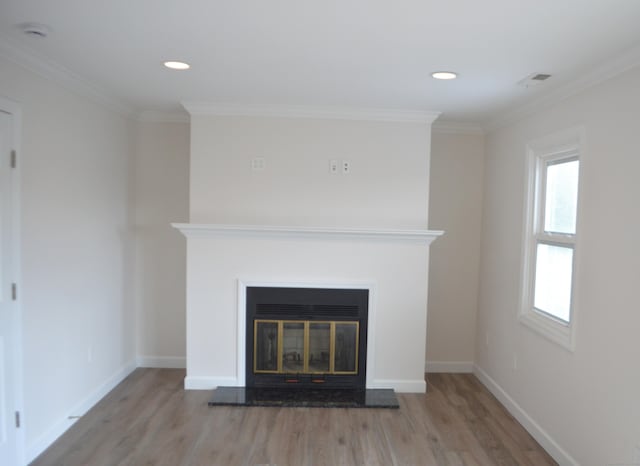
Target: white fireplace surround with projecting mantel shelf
{"type": "Point", "coordinates": [223, 260]}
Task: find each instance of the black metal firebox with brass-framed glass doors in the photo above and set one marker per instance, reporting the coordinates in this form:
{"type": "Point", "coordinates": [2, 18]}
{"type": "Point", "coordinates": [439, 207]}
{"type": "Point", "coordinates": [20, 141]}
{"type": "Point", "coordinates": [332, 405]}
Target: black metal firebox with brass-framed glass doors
{"type": "Point", "coordinates": [306, 337]}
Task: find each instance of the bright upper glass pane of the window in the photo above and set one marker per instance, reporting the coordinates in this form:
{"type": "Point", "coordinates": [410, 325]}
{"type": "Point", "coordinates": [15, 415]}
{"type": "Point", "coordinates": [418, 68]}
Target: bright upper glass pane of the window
{"type": "Point", "coordinates": [561, 197]}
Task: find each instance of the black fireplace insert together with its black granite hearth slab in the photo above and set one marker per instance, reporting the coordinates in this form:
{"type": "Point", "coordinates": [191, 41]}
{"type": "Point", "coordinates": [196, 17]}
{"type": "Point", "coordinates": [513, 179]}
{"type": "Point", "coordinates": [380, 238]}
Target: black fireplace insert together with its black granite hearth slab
{"type": "Point", "coordinates": [305, 347]}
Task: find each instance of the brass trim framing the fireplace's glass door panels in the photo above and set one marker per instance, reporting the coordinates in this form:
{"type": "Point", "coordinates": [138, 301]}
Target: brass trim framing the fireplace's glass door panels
{"type": "Point", "coordinates": [306, 340]}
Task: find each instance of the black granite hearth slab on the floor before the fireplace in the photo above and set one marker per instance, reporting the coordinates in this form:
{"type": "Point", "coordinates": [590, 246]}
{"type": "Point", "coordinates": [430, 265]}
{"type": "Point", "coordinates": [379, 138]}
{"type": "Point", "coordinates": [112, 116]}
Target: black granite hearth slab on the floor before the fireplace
{"type": "Point", "coordinates": [306, 398]}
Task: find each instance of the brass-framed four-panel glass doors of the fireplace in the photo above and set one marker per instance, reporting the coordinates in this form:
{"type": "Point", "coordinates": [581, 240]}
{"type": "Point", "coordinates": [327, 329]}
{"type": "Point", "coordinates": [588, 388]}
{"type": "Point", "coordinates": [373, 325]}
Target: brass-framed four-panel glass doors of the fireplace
{"type": "Point", "coordinates": [305, 347]}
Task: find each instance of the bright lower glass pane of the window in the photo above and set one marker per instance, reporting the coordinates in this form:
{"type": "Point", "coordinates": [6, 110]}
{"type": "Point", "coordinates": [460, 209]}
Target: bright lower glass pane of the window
{"type": "Point", "coordinates": [554, 267]}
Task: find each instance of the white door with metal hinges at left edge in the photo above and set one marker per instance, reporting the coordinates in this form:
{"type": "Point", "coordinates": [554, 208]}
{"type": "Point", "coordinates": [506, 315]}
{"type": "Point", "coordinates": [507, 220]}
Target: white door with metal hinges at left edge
{"type": "Point", "coordinates": [8, 299]}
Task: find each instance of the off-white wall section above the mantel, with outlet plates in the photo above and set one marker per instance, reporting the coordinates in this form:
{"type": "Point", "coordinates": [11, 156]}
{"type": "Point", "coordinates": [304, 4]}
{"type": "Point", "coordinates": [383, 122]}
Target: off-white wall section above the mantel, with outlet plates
{"type": "Point", "coordinates": [388, 185]}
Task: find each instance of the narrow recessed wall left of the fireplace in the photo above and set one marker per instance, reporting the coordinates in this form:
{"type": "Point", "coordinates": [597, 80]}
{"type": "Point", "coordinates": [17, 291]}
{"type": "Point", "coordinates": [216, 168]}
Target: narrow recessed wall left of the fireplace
{"type": "Point", "coordinates": [162, 197]}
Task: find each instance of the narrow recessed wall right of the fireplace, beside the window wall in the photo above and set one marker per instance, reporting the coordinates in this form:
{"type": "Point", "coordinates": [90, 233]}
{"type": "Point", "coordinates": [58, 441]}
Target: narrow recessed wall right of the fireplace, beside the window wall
{"type": "Point", "coordinates": [455, 206]}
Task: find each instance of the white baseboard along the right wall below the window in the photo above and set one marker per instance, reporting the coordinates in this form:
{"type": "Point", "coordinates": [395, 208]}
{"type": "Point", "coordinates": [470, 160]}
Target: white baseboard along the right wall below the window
{"type": "Point", "coordinates": [542, 437]}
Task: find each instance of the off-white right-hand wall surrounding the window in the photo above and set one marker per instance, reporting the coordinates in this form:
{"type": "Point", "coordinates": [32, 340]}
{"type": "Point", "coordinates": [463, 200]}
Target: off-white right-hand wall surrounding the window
{"type": "Point", "coordinates": [585, 401]}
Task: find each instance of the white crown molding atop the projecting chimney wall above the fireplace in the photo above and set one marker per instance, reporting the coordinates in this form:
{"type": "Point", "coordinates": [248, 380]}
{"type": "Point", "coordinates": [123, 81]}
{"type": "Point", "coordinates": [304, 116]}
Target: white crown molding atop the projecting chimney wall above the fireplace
{"type": "Point", "coordinates": [301, 111]}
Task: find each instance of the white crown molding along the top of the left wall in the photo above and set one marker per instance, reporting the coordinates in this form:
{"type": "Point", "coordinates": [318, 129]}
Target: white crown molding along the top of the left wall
{"type": "Point", "coordinates": [62, 76]}
